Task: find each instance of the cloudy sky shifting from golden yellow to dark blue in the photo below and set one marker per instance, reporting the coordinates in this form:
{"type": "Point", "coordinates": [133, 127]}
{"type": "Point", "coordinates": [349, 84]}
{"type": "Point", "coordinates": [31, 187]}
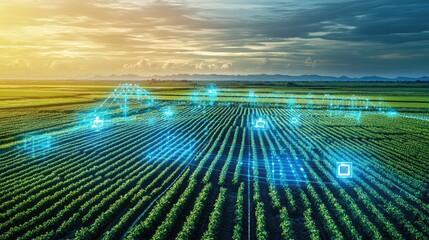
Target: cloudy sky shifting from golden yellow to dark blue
{"type": "Point", "coordinates": [80, 38]}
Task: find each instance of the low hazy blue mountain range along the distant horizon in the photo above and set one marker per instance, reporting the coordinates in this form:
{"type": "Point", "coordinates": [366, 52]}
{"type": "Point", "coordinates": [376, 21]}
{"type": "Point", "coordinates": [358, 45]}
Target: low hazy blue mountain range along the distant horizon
{"type": "Point", "coordinates": [258, 77]}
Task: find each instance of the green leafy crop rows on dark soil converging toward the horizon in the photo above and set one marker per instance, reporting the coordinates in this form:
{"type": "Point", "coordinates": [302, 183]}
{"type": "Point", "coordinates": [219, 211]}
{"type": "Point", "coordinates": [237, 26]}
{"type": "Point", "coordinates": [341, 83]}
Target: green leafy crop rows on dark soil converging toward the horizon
{"type": "Point", "coordinates": [206, 174]}
